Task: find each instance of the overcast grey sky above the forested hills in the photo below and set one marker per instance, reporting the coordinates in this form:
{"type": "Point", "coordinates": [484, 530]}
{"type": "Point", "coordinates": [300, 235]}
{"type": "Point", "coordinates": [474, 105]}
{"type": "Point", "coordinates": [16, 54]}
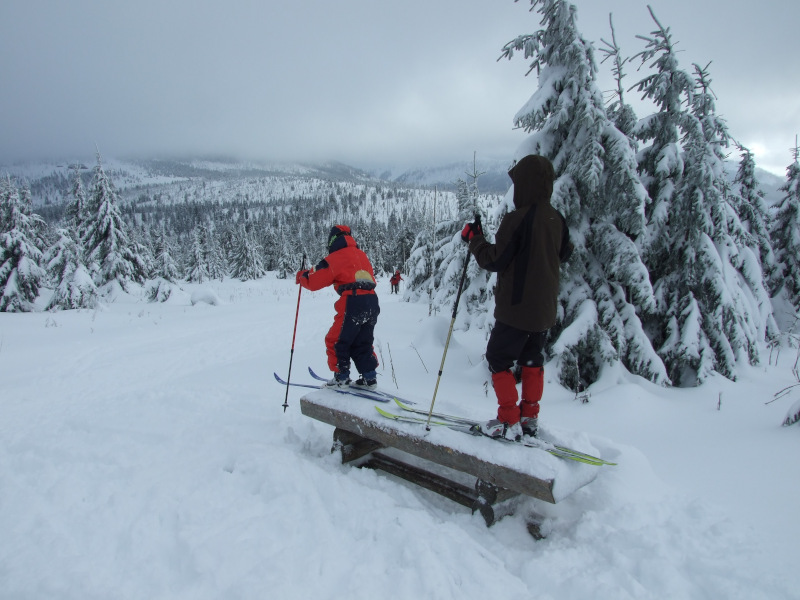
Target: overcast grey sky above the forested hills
{"type": "Point", "coordinates": [362, 81]}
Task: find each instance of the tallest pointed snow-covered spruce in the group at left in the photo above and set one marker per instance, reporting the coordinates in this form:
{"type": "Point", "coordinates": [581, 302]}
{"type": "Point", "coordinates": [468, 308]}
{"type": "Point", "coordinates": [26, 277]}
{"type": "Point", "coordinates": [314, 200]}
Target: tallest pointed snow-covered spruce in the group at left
{"type": "Point", "coordinates": [107, 246]}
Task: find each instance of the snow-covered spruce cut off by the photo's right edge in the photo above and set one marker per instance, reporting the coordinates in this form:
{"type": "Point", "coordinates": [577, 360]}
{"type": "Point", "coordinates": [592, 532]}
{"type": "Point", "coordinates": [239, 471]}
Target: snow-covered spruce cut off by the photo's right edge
{"type": "Point", "coordinates": [786, 232]}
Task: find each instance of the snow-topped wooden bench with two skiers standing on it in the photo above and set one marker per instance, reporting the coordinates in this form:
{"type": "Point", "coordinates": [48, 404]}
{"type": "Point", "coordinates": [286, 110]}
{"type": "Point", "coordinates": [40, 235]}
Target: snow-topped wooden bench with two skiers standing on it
{"type": "Point", "coordinates": [476, 472]}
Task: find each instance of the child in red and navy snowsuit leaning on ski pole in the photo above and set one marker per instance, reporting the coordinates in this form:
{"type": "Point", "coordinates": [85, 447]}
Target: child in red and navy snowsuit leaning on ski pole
{"type": "Point", "coordinates": [349, 271]}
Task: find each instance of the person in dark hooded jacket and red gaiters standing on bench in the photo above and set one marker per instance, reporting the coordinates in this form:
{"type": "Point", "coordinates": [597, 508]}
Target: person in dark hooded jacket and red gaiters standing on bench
{"type": "Point", "coordinates": [531, 243]}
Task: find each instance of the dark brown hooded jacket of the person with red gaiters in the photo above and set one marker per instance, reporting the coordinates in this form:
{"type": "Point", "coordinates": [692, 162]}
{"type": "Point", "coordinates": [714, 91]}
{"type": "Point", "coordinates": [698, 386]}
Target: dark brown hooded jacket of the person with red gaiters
{"type": "Point", "coordinates": [530, 245]}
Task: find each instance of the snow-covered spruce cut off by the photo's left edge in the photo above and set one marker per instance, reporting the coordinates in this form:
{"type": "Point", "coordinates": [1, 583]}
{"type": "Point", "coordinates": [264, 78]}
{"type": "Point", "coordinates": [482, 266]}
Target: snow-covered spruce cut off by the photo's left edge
{"type": "Point", "coordinates": [20, 250]}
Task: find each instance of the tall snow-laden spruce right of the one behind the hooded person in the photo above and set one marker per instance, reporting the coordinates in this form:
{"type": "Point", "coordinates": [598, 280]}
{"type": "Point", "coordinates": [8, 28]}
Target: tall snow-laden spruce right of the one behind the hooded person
{"type": "Point", "coordinates": [703, 276]}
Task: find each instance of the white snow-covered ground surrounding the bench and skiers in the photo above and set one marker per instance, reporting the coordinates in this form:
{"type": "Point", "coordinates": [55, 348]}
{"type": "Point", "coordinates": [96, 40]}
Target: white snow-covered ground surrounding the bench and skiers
{"type": "Point", "coordinates": [145, 453]}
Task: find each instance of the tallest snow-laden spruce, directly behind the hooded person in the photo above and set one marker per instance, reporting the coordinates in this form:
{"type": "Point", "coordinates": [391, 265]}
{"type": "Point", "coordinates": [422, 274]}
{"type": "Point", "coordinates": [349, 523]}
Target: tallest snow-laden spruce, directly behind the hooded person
{"type": "Point", "coordinates": [605, 287]}
